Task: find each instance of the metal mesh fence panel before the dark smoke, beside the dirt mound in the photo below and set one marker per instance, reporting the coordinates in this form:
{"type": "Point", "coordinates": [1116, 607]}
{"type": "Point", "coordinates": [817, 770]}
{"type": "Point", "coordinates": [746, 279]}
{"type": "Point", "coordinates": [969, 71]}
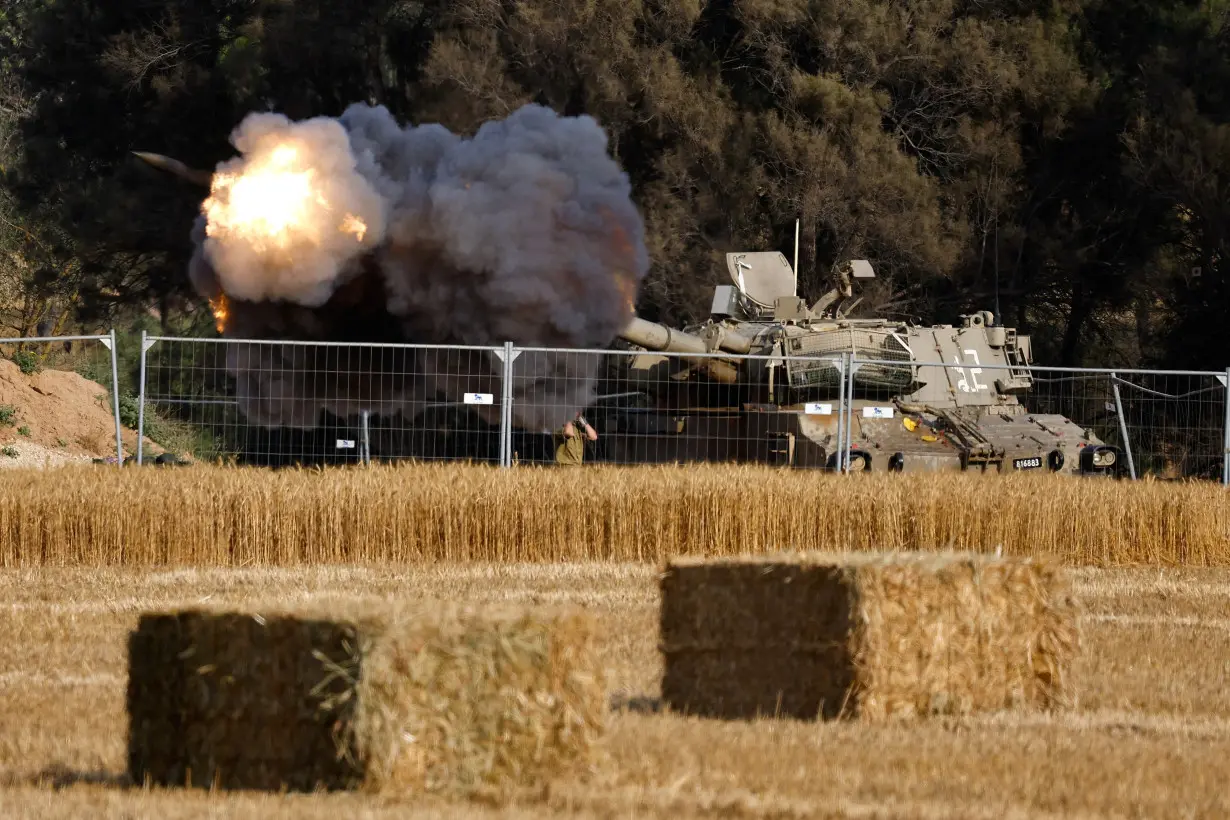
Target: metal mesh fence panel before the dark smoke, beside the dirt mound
{"type": "Point", "coordinates": [279, 404]}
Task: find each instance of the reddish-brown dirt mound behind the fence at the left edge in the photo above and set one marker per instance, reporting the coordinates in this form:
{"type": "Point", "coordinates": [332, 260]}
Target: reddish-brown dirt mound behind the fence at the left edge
{"type": "Point", "coordinates": [57, 417]}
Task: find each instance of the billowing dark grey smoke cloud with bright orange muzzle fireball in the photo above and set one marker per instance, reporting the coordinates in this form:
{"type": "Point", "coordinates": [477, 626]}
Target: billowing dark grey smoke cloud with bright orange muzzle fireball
{"type": "Point", "coordinates": [525, 233]}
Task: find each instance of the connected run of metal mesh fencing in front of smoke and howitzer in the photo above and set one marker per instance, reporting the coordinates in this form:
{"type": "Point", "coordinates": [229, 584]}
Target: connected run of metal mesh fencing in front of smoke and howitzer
{"type": "Point", "coordinates": [297, 403]}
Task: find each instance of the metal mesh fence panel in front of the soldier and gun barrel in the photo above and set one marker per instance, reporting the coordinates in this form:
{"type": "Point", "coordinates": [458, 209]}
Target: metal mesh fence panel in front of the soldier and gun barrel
{"type": "Point", "coordinates": [669, 409]}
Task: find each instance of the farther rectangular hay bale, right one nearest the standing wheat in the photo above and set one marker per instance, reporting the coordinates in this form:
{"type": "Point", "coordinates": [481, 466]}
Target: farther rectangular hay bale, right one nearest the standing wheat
{"type": "Point", "coordinates": [867, 636]}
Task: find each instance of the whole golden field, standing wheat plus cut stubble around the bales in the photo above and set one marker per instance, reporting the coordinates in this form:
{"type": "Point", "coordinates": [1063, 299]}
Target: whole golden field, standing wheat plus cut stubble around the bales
{"type": "Point", "coordinates": [1149, 736]}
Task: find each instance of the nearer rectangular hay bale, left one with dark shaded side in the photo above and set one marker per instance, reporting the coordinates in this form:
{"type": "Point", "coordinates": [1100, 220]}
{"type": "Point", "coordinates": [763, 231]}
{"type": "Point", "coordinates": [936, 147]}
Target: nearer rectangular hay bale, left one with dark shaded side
{"type": "Point", "coordinates": [488, 704]}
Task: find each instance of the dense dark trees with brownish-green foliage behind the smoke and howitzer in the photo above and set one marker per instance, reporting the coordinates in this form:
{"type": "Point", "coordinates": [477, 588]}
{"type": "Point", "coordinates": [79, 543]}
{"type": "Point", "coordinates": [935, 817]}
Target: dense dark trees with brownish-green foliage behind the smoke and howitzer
{"type": "Point", "coordinates": [1066, 160]}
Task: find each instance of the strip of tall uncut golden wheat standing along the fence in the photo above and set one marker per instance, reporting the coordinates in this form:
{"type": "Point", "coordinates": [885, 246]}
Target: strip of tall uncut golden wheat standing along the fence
{"type": "Point", "coordinates": [244, 517]}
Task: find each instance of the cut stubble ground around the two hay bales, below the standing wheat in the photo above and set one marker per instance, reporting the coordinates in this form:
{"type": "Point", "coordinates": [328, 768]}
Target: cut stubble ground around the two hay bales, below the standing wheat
{"type": "Point", "coordinates": [1148, 737]}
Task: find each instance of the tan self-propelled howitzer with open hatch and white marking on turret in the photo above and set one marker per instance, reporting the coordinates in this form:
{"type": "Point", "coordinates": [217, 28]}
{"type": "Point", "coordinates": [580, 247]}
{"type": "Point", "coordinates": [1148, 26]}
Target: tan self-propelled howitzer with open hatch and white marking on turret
{"type": "Point", "coordinates": [767, 378]}
